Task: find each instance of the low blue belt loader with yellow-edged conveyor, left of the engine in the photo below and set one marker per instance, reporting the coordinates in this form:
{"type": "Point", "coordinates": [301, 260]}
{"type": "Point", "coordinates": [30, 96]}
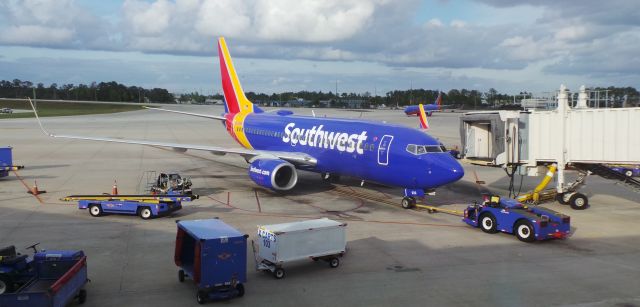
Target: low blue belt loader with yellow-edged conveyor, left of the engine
{"type": "Point", "coordinates": [145, 206]}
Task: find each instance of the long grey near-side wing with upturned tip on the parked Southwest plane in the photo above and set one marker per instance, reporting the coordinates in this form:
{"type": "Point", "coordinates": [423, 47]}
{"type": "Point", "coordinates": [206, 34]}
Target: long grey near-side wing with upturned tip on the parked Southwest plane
{"type": "Point", "coordinates": [296, 158]}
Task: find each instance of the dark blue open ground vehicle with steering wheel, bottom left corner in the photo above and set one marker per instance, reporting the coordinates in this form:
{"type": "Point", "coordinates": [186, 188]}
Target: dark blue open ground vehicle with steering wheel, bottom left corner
{"type": "Point", "coordinates": [52, 278]}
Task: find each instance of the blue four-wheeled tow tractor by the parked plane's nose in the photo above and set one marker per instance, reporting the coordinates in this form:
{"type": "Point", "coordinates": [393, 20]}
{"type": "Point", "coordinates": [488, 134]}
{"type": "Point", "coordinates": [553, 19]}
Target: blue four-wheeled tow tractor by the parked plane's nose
{"type": "Point", "coordinates": [527, 223]}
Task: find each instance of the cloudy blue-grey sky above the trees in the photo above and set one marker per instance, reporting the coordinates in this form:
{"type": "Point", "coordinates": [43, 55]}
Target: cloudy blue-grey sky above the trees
{"type": "Point", "coordinates": [292, 45]}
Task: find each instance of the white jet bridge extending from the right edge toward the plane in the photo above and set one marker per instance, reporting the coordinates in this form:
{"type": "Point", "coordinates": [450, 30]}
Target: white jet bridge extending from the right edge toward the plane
{"type": "Point", "coordinates": [579, 138]}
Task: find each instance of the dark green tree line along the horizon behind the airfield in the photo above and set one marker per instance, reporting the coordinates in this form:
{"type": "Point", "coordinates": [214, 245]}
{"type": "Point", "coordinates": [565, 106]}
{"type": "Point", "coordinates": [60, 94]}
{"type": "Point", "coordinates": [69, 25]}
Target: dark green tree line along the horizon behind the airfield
{"type": "Point", "coordinates": [114, 91]}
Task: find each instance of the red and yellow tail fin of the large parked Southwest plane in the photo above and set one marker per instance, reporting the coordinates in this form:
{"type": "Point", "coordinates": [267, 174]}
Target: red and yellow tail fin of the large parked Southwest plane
{"type": "Point", "coordinates": [234, 98]}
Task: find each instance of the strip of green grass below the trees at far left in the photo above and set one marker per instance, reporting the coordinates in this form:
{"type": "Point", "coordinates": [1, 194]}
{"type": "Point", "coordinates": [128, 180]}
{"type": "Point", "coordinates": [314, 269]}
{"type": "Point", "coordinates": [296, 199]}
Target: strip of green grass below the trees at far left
{"type": "Point", "coordinates": [51, 108]}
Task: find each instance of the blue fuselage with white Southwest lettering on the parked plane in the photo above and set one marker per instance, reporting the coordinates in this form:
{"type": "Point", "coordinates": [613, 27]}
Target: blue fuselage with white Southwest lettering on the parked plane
{"type": "Point", "coordinates": [371, 151]}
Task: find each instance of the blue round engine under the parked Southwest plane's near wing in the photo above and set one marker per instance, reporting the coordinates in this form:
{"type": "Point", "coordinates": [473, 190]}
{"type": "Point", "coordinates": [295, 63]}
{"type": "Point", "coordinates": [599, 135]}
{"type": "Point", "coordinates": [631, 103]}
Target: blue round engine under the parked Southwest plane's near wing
{"type": "Point", "coordinates": [274, 174]}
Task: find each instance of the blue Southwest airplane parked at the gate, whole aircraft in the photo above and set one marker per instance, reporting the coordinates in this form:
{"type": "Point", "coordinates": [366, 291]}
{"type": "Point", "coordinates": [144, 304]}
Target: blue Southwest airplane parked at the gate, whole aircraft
{"type": "Point", "coordinates": [277, 144]}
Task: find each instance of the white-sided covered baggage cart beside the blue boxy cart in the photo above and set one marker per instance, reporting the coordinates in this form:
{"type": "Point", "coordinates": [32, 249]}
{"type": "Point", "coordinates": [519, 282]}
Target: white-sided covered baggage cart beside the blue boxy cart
{"type": "Point", "coordinates": [320, 239]}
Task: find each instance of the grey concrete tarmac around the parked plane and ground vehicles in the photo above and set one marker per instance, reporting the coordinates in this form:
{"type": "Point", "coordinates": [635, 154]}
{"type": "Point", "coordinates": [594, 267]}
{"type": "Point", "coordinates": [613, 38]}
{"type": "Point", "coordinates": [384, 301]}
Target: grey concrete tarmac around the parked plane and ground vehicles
{"type": "Point", "coordinates": [395, 257]}
